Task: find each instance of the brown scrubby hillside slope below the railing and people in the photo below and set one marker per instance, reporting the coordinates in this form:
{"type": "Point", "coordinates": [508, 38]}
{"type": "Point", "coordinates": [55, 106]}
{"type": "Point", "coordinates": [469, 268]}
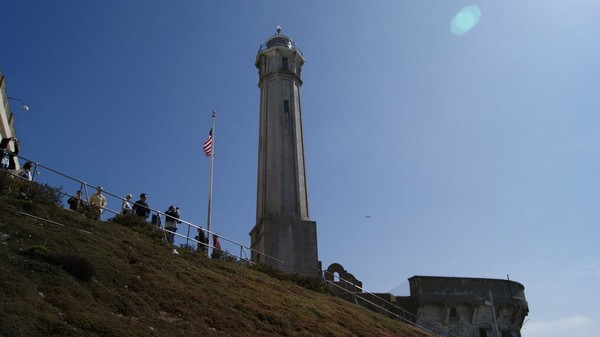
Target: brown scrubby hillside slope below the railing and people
{"type": "Point", "coordinates": [91, 278]}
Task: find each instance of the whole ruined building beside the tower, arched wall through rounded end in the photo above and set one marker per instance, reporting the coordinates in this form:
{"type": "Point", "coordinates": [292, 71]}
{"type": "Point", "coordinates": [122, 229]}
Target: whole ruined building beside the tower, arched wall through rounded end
{"type": "Point", "coordinates": [446, 306]}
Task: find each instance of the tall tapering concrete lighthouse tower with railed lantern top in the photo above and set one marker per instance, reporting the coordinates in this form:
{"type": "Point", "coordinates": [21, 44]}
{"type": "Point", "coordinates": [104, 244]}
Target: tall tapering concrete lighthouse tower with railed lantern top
{"type": "Point", "coordinates": [283, 230]}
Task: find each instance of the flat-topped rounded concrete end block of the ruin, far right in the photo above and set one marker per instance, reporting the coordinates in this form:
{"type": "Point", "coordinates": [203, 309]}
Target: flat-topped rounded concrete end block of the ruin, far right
{"type": "Point", "coordinates": [469, 307]}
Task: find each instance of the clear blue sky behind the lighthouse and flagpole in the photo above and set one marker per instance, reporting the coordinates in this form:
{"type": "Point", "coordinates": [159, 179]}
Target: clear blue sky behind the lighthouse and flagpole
{"type": "Point", "coordinates": [474, 155]}
